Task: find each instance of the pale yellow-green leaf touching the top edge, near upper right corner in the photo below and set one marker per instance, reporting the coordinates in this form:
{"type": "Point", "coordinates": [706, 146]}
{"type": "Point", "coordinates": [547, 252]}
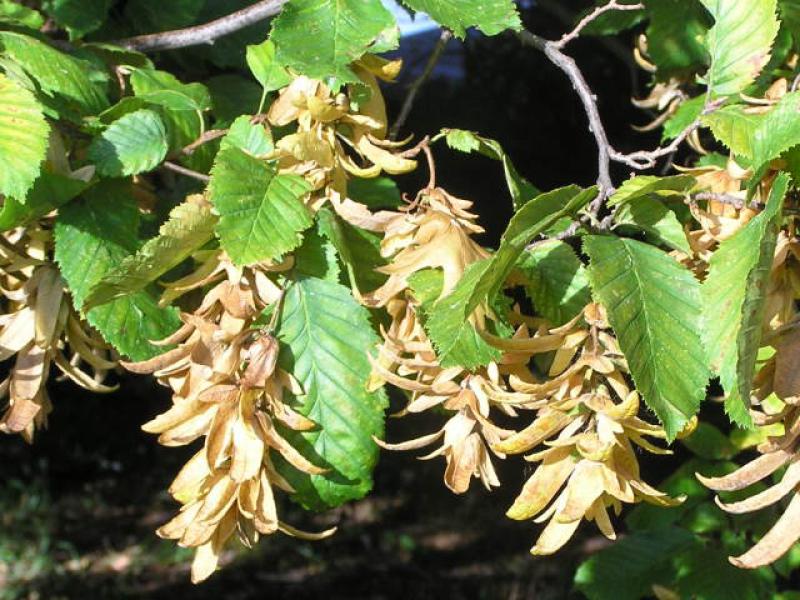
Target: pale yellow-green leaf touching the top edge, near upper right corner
{"type": "Point", "coordinates": [739, 43]}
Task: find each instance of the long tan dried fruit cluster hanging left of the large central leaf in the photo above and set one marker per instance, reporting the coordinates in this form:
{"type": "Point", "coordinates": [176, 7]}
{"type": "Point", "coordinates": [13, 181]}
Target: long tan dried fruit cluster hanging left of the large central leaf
{"type": "Point", "coordinates": [228, 390]}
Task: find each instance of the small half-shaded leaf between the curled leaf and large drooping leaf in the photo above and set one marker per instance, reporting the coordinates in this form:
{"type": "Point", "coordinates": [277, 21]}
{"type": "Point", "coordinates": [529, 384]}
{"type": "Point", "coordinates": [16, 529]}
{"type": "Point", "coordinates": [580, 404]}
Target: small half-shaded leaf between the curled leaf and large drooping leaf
{"type": "Point", "coordinates": [556, 280]}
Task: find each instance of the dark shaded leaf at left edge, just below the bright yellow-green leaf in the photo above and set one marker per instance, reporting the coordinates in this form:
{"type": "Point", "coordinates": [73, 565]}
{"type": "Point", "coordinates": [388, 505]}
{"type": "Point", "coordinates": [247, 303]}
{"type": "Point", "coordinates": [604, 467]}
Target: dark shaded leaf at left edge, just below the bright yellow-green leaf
{"type": "Point", "coordinates": [49, 192]}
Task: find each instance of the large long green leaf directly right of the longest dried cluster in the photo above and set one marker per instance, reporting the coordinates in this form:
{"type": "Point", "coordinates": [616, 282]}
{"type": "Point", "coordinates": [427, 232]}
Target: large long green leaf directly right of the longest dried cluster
{"type": "Point", "coordinates": [325, 336]}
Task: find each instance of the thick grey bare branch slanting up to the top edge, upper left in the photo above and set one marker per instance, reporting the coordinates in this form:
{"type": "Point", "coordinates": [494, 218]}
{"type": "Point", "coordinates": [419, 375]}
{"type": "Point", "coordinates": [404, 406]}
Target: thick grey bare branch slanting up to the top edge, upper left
{"type": "Point", "coordinates": [204, 34]}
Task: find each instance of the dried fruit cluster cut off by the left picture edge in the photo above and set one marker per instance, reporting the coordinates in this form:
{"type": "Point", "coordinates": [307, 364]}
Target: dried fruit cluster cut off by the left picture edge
{"type": "Point", "coordinates": [38, 328]}
